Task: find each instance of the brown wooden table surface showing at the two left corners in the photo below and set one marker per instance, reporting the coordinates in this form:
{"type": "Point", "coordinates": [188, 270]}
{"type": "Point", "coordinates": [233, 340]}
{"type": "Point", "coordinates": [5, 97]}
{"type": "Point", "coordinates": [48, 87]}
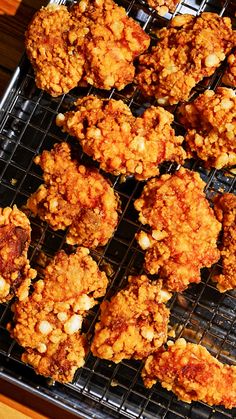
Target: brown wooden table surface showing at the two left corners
{"type": "Point", "coordinates": [14, 18]}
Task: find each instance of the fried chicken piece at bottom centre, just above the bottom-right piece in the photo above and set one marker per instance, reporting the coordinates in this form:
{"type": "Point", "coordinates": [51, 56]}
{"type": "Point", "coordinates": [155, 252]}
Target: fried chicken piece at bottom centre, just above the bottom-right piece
{"type": "Point", "coordinates": [134, 323]}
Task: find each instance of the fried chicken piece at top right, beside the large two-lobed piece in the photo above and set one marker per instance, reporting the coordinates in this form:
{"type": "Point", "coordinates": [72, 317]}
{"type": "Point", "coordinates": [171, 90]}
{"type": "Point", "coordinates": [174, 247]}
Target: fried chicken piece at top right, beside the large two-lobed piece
{"type": "Point", "coordinates": [189, 50]}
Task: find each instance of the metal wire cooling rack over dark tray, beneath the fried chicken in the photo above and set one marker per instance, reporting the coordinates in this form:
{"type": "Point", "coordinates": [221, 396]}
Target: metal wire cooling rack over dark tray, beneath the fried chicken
{"type": "Point", "coordinates": [201, 314]}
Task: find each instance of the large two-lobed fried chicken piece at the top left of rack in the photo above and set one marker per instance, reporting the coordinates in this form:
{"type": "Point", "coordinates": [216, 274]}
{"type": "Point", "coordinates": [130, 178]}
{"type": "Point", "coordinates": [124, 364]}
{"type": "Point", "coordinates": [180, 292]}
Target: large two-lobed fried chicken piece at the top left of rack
{"type": "Point", "coordinates": [94, 41]}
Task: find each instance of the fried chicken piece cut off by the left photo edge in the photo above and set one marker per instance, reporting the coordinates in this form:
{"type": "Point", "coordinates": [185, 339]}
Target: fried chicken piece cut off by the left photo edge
{"type": "Point", "coordinates": [15, 271]}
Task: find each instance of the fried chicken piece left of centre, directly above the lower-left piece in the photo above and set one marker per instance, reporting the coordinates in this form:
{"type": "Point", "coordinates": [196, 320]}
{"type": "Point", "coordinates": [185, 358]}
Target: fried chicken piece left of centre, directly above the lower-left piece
{"type": "Point", "coordinates": [76, 197]}
